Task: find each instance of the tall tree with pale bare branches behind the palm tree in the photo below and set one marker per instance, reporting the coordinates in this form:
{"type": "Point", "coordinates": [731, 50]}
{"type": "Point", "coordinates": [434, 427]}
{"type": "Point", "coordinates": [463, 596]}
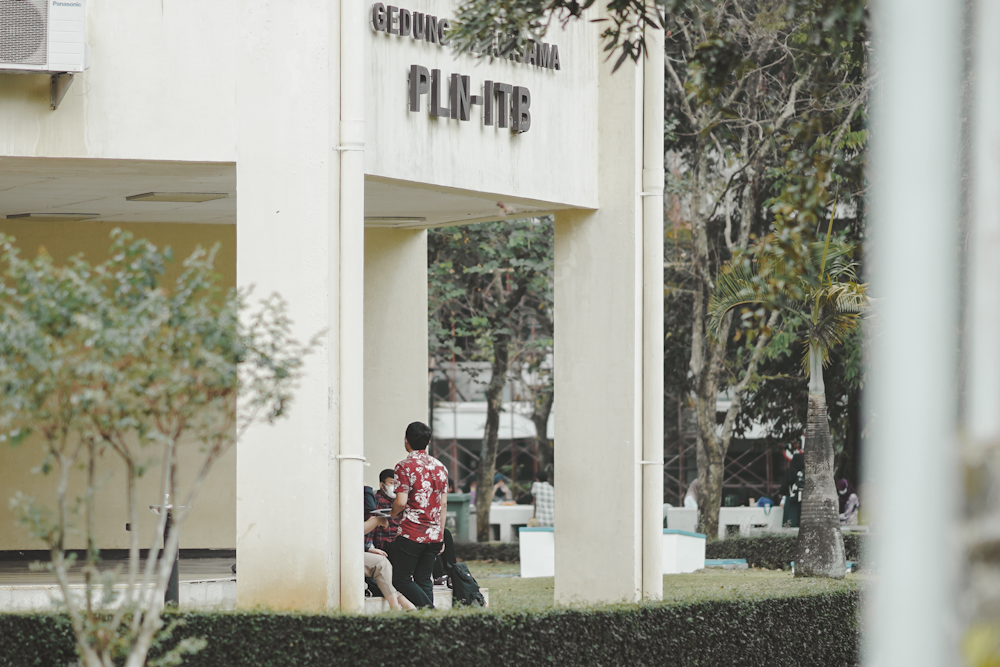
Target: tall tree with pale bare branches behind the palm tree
{"type": "Point", "coordinates": [765, 103]}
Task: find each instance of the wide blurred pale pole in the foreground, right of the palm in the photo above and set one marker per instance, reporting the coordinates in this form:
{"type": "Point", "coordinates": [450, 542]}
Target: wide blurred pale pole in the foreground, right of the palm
{"type": "Point", "coordinates": [911, 616]}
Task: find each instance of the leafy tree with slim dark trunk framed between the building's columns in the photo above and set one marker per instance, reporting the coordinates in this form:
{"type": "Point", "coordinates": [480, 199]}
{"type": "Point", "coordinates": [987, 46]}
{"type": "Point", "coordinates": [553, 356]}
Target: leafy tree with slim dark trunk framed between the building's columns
{"type": "Point", "coordinates": [487, 283]}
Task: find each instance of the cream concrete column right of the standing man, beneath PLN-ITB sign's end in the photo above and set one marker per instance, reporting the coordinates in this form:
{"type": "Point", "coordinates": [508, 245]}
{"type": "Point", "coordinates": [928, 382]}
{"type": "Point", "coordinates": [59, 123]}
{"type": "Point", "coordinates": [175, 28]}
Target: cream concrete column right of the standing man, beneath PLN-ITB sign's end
{"type": "Point", "coordinates": [598, 364]}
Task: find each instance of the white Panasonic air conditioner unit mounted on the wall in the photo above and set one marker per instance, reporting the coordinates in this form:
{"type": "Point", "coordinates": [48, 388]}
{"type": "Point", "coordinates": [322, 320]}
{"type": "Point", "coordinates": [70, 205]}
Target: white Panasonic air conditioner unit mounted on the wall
{"type": "Point", "coordinates": [43, 36]}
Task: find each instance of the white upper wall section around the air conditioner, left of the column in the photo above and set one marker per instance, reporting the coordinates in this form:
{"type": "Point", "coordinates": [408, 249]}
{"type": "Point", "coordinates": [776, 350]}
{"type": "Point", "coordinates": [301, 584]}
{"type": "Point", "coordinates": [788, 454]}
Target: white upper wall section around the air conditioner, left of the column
{"type": "Point", "coordinates": [161, 85]}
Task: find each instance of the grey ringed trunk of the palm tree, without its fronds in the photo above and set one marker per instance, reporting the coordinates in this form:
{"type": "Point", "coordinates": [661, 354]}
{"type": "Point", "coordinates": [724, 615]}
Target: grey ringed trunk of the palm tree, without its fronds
{"type": "Point", "coordinates": [820, 548]}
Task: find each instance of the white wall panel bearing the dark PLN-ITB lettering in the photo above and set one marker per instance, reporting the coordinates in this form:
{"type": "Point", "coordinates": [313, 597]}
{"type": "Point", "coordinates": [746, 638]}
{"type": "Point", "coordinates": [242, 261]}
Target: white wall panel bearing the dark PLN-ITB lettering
{"type": "Point", "coordinates": [555, 160]}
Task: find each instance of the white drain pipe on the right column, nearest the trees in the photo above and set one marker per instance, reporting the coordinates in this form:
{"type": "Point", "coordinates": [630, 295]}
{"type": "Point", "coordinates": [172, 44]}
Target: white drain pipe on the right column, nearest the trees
{"type": "Point", "coordinates": [652, 317]}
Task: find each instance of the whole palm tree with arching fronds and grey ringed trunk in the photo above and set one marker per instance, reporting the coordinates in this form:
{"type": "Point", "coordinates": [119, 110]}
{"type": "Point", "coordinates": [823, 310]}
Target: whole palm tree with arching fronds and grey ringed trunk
{"type": "Point", "coordinates": [815, 288]}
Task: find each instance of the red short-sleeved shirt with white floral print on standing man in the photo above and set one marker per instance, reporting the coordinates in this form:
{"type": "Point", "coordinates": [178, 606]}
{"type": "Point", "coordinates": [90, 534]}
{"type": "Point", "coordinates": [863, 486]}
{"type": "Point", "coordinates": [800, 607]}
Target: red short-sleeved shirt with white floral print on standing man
{"type": "Point", "coordinates": [425, 479]}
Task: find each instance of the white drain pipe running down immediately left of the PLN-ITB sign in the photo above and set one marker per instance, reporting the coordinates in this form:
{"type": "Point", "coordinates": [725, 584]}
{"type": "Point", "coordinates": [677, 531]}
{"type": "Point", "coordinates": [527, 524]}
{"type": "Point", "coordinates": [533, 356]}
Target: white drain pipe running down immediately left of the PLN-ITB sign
{"type": "Point", "coordinates": [351, 290]}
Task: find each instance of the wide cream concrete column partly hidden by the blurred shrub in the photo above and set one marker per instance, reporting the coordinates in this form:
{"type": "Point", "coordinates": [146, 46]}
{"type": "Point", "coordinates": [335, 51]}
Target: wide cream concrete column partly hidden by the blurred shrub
{"type": "Point", "coordinates": [288, 546]}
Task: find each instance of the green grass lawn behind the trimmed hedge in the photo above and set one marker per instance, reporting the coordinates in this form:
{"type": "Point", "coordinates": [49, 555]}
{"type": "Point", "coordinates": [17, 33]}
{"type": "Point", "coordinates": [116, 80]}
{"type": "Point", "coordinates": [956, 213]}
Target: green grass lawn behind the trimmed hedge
{"type": "Point", "coordinates": [508, 592]}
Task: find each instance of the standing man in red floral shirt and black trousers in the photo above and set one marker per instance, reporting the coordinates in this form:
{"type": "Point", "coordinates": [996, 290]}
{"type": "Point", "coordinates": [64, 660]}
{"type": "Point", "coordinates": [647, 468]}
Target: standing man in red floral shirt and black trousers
{"type": "Point", "coordinates": [421, 504]}
